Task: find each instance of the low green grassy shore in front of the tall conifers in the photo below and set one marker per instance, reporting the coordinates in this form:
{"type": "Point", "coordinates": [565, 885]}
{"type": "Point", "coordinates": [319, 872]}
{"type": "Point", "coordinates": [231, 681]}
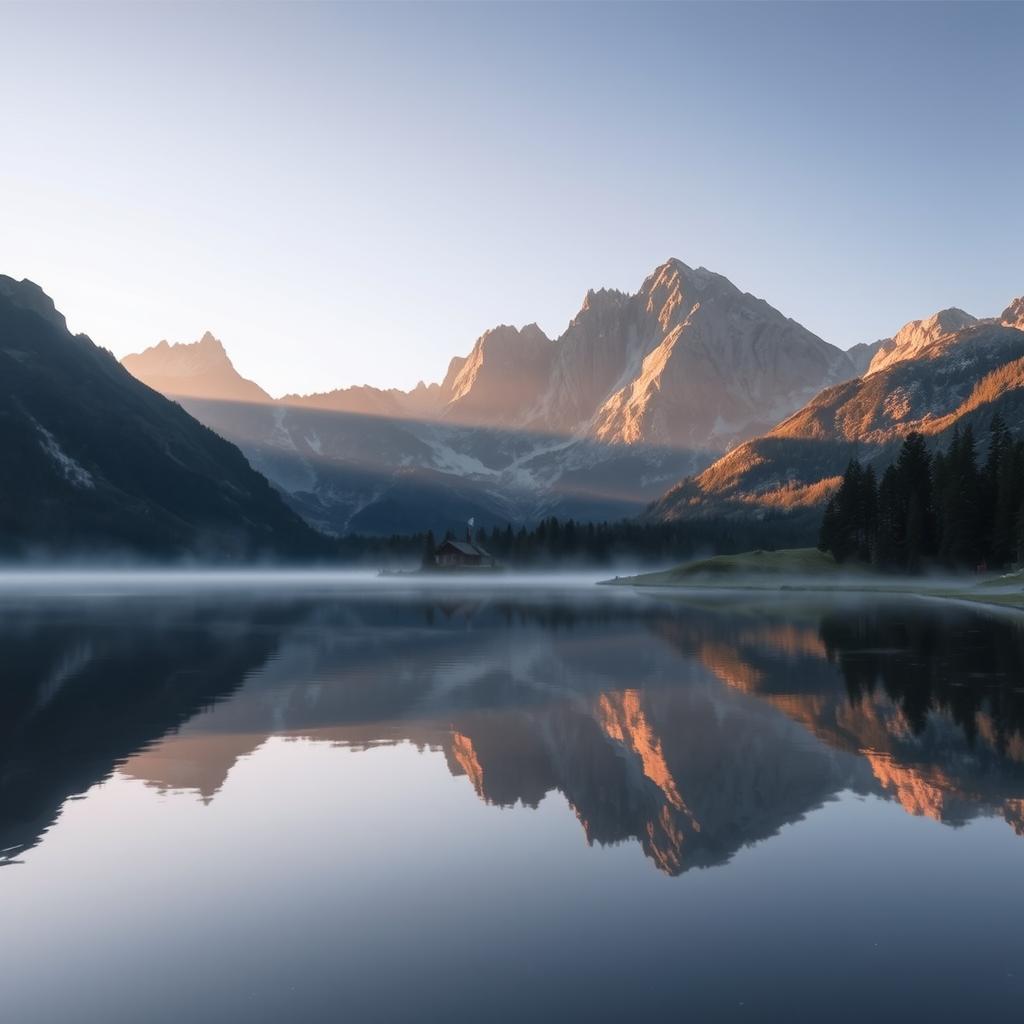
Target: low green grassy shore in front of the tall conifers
{"type": "Point", "coordinates": [810, 570]}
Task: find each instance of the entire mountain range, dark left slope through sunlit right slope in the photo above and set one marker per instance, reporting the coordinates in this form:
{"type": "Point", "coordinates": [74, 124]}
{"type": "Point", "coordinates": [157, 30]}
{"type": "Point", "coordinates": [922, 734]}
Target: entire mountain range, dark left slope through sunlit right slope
{"type": "Point", "coordinates": [687, 400]}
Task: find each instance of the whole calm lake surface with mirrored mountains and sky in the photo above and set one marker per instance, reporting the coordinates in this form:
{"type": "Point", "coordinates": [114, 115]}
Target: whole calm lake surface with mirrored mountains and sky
{"type": "Point", "coordinates": [383, 804]}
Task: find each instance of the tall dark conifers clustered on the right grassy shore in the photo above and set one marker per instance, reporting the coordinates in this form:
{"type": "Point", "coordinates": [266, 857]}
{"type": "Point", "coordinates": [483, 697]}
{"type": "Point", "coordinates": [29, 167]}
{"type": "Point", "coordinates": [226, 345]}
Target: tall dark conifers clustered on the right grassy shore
{"type": "Point", "coordinates": [943, 508]}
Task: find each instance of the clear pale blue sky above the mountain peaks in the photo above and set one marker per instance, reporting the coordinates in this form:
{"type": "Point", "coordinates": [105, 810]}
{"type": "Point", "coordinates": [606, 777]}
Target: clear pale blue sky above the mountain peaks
{"type": "Point", "coordinates": [352, 194]}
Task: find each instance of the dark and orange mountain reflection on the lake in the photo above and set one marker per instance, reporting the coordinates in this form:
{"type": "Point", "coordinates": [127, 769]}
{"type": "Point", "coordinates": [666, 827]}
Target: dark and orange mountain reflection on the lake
{"type": "Point", "coordinates": [694, 731]}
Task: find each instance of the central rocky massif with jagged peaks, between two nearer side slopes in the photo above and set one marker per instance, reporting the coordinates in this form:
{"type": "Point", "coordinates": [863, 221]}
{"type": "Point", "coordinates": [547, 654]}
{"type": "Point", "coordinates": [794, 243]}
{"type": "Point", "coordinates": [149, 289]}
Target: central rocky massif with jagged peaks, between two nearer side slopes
{"type": "Point", "coordinates": [638, 392]}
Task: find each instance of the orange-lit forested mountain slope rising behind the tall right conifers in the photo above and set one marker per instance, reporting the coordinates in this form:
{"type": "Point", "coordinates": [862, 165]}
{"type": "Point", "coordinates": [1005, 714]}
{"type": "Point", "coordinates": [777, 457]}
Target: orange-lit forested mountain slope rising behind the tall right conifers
{"type": "Point", "coordinates": [934, 377]}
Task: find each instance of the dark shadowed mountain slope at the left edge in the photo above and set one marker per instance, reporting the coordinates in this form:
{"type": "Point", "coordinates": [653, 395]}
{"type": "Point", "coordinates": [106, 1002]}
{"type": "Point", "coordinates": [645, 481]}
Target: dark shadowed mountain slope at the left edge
{"type": "Point", "coordinates": [95, 462]}
